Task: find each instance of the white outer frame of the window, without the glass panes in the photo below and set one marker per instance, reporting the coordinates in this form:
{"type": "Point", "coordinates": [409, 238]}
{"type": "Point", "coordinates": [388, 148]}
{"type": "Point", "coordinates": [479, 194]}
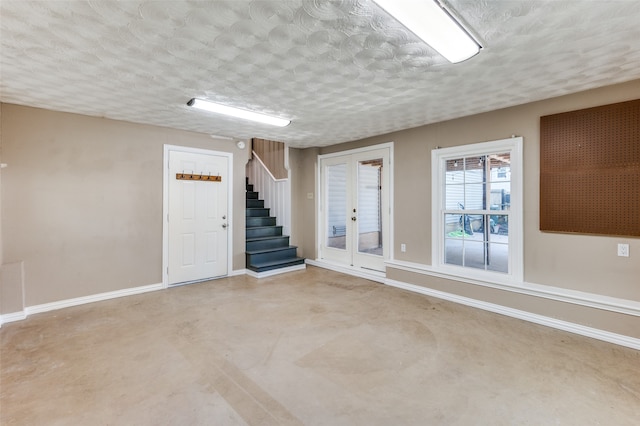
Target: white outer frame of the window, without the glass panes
{"type": "Point", "coordinates": [439, 157]}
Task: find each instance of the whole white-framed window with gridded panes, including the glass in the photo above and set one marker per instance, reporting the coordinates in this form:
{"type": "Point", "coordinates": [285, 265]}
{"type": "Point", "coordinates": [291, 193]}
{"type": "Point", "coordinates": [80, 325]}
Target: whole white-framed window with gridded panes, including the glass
{"type": "Point", "coordinates": [477, 210]}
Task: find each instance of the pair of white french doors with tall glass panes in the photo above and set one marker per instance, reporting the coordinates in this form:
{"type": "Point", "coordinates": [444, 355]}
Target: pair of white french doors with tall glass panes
{"type": "Point", "coordinates": [355, 208]}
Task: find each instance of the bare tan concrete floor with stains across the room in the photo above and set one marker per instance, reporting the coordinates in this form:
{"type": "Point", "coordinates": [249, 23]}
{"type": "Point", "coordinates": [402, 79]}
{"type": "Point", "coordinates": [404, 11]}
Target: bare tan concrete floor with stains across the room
{"type": "Point", "coordinates": [312, 347]}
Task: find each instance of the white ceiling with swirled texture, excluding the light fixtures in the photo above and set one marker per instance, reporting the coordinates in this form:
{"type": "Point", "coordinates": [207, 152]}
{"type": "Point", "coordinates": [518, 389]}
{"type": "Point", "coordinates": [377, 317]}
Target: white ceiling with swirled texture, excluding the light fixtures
{"type": "Point", "coordinates": [340, 70]}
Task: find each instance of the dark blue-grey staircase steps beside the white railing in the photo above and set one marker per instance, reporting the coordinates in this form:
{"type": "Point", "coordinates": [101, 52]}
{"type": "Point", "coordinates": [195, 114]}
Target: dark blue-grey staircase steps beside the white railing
{"type": "Point", "coordinates": [266, 248]}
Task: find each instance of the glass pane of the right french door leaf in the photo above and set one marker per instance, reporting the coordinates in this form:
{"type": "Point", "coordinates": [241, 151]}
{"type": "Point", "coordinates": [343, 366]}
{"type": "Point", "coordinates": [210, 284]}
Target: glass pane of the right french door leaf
{"type": "Point", "coordinates": [369, 217]}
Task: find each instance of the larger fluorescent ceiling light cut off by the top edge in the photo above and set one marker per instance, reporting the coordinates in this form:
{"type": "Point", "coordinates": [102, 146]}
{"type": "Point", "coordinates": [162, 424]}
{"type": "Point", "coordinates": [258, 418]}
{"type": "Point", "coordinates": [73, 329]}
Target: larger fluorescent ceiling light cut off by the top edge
{"type": "Point", "coordinates": [430, 21]}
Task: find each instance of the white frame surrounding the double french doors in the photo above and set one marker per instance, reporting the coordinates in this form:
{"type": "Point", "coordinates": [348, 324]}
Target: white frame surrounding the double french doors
{"type": "Point", "coordinates": [321, 208]}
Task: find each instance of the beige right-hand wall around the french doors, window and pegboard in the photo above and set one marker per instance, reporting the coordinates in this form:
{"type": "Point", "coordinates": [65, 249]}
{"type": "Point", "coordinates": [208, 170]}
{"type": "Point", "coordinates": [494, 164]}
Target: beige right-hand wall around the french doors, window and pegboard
{"type": "Point", "coordinates": [576, 262]}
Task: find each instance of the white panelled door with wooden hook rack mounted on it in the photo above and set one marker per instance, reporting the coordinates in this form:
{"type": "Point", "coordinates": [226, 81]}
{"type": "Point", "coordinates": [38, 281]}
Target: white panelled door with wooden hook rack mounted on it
{"type": "Point", "coordinates": [198, 217]}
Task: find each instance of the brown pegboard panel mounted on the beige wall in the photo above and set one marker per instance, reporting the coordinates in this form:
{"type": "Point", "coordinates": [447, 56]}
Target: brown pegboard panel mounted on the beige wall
{"type": "Point", "coordinates": [590, 170]}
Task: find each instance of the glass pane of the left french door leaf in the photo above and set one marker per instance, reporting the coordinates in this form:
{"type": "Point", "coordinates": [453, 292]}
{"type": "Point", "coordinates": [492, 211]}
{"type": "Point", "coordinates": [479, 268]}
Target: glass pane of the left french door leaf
{"type": "Point", "coordinates": [336, 206]}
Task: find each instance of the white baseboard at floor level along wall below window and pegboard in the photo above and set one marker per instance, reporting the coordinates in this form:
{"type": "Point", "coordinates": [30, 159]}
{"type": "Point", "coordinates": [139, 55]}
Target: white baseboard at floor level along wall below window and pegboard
{"type": "Point", "coordinates": [582, 330]}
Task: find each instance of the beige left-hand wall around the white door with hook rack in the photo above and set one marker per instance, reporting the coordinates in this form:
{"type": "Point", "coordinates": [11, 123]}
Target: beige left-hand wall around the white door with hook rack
{"type": "Point", "coordinates": [82, 201]}
